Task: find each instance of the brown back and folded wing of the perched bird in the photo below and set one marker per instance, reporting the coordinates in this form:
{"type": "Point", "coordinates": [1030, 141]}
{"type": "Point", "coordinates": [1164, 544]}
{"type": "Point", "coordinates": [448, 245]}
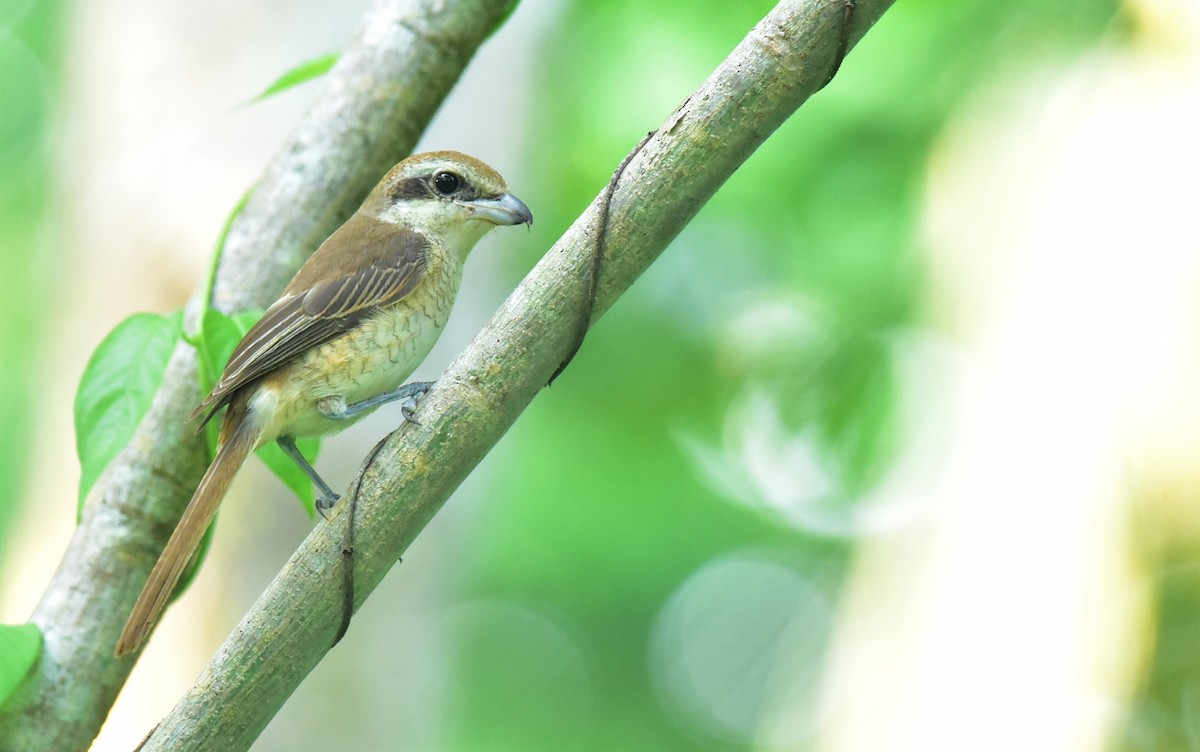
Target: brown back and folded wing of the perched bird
{"type": "Point", "coordinates": [322, 304]}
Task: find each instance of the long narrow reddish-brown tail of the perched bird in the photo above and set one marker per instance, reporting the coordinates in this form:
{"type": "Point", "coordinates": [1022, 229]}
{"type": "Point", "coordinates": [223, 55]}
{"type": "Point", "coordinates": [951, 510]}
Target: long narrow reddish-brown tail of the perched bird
{"type": "Point", "coordinates": [238, 440]}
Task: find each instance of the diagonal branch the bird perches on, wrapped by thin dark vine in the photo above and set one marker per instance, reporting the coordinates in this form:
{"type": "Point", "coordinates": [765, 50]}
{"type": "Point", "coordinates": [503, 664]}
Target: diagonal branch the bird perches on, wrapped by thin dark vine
{"type": "Point", "coordinates": [410, 476]}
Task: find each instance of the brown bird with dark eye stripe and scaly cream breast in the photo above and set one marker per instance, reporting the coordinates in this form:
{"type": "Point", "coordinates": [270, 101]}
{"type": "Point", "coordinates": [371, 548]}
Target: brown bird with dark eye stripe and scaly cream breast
{"type": "Point", "coordinates": [359, 316]}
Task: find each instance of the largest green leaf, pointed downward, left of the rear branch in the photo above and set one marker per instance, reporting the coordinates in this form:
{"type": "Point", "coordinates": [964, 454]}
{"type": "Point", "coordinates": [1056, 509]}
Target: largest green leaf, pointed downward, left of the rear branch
{"type": "Point", "coordinates": [117, 389]}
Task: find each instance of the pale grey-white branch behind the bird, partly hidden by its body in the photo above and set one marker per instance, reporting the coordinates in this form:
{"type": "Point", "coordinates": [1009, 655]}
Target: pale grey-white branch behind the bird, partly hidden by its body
{"type": "Point", "coordinates": [376, 103]}
